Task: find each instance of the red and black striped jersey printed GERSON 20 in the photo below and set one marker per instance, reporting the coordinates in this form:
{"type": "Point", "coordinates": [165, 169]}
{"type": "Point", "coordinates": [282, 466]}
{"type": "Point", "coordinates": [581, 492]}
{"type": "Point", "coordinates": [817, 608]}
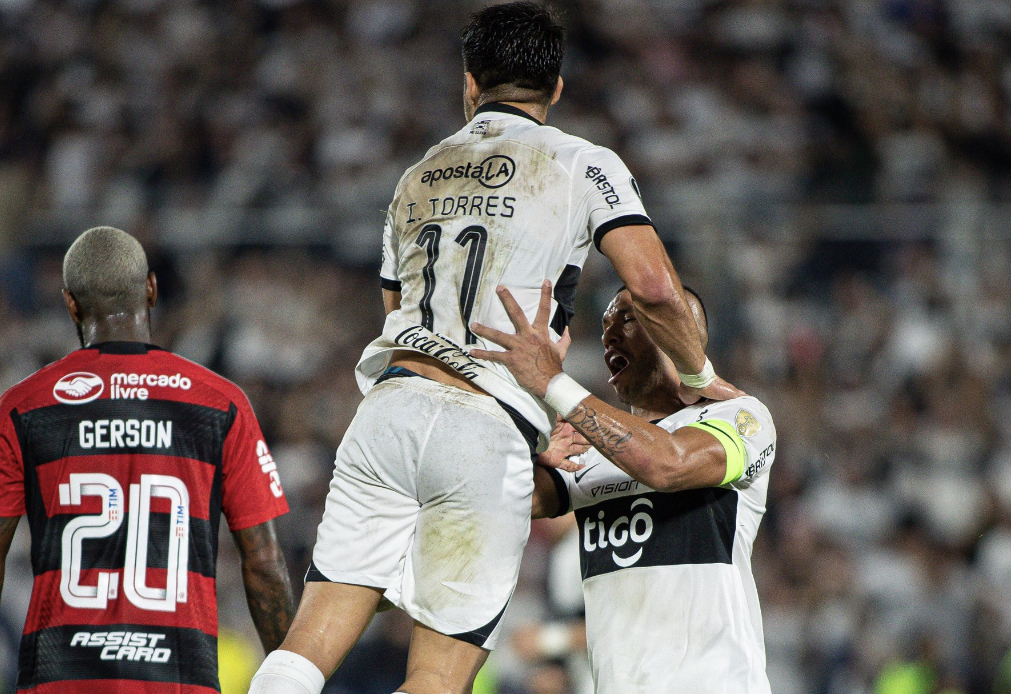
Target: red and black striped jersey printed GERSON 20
{"type": "Point", "coordinates": [124, 458]}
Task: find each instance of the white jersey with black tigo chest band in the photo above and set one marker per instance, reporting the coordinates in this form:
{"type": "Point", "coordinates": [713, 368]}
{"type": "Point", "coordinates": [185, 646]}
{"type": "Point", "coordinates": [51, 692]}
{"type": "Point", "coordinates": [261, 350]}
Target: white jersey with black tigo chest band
{"type": "Point", "coordinates": [672, 605]}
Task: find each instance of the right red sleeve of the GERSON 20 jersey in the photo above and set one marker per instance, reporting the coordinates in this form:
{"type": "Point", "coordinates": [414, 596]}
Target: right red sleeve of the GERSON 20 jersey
{"type": "Point", "coordinates": [251, 486]}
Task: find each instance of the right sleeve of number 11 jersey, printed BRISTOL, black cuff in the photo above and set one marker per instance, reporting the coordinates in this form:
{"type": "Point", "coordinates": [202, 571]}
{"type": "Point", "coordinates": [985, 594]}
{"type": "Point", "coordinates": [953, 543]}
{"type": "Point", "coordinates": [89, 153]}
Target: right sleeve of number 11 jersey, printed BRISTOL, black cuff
{"type": "Point", "coordinates": [609, 194]}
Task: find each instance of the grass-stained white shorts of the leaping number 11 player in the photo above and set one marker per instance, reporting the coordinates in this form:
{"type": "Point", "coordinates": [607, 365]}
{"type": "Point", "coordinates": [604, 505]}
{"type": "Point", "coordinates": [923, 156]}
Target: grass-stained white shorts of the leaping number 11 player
{"type": "Point", "coordinates": [431, 502]}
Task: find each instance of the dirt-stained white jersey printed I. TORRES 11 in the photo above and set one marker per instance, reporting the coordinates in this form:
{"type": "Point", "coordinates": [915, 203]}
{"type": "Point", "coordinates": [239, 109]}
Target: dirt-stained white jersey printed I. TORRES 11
{"type": "Point", "coordinates": [508, 202]}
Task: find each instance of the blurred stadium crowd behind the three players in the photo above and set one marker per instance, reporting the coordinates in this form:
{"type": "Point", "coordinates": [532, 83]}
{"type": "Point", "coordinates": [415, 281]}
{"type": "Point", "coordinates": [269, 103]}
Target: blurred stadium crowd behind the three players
{"type": "Point", "coordinates": [834, 177]}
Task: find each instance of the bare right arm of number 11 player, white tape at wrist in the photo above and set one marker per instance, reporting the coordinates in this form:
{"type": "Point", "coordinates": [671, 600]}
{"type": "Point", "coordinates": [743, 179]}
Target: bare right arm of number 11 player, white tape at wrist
{"type": "Point", "coordinates": [644, 266]}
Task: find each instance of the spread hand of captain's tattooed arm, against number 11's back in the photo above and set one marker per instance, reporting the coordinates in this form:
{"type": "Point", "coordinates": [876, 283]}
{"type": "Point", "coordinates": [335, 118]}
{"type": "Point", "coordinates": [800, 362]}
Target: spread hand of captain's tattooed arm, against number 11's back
{"type": "Point", "coordinates": [531, 356]}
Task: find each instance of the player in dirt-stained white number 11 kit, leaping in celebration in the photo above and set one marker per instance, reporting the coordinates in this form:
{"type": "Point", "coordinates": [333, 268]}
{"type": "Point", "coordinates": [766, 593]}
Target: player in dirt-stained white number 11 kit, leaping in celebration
{"type": "Point", "coordinates": [429, 508]}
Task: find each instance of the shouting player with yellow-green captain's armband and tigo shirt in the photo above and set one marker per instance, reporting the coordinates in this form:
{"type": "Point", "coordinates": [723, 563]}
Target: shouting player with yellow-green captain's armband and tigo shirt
{"type": "Point", "coordinates": [668, 505]}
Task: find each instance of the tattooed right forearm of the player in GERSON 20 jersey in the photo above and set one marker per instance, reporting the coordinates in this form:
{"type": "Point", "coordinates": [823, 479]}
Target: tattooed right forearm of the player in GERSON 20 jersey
{"type": "Point", "coordinates": [268, 587]}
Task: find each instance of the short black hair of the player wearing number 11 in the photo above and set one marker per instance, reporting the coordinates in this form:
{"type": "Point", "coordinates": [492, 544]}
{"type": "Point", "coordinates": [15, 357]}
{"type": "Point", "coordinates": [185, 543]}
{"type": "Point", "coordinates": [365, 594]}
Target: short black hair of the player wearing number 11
{"type": "Point", "coordinates": [517, 44]}
